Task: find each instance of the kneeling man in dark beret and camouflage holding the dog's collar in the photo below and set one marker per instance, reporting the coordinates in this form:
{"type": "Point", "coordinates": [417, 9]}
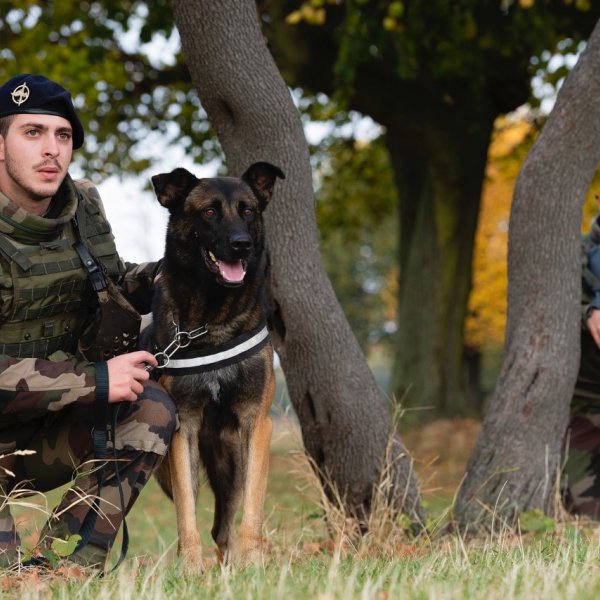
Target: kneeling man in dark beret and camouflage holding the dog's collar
{"type": "Point", "coordinates": [49, 397]}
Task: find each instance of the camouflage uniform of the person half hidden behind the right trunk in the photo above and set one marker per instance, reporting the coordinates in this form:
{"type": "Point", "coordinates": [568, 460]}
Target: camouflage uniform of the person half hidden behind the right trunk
{"type": "Point", "coordinates": [582, 462]}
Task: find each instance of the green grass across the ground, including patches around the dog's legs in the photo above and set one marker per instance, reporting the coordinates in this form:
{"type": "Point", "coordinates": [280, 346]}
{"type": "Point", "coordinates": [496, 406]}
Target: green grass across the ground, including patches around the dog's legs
{"type": "Point", "coordinates": [301, 562]}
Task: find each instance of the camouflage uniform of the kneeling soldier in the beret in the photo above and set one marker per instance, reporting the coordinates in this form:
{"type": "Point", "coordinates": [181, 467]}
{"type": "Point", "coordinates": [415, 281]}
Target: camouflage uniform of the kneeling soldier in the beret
{"type": "Point", "coordinates": [47, 395]}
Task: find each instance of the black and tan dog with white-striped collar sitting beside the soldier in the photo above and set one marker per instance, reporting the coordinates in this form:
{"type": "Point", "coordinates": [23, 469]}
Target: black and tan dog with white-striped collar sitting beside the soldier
{"type": "Point", "coordinates": [215, 356]}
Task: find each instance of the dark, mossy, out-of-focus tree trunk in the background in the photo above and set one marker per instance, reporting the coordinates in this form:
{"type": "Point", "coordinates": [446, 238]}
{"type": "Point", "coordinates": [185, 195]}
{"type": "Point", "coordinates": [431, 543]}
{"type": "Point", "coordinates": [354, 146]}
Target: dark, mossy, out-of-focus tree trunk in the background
{"type": "Point", "coordinates": [439, 165]}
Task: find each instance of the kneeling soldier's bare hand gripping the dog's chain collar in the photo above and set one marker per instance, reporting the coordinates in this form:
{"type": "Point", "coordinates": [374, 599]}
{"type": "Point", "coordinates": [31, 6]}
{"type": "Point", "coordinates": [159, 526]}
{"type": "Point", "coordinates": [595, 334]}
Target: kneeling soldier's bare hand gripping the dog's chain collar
{"type": "Point", "coordinates": [126, 374]}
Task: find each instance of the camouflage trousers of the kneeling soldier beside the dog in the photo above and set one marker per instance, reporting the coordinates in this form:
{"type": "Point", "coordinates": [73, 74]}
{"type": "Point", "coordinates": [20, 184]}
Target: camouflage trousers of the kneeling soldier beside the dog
{"type": "Point", "coordinates": [63, 448]}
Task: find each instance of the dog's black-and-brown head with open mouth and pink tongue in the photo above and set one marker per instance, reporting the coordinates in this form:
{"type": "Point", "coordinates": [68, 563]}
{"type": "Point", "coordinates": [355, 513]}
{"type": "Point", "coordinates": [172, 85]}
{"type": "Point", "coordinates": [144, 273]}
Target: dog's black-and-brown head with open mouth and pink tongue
{"type": "Point", "coordinates": [217, 221]}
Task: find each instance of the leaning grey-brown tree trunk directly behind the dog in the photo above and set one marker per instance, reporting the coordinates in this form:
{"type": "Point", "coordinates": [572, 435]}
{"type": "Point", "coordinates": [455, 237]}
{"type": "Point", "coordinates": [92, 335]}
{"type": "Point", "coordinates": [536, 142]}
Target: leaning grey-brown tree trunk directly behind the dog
{"type": "Point", "coordinates": [345, 420]}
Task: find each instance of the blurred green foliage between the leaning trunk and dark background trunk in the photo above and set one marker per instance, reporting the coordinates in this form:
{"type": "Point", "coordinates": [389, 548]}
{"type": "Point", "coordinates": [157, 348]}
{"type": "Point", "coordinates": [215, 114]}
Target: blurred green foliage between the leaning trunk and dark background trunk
{"type": "Point", "coordinates": [356, 212]}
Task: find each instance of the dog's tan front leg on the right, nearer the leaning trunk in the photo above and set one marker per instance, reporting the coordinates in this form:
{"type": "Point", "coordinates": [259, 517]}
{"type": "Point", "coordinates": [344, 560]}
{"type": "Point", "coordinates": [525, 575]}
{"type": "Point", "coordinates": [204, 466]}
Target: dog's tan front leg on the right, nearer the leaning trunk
{"type": "Point", "coordinates": [248, 546]}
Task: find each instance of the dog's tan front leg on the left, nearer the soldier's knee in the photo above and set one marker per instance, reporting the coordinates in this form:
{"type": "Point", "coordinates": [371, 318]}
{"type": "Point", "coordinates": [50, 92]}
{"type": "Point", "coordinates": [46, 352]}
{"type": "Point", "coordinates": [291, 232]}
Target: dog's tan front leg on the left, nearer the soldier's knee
{"type": "Point", "coordinates": [184, 497]}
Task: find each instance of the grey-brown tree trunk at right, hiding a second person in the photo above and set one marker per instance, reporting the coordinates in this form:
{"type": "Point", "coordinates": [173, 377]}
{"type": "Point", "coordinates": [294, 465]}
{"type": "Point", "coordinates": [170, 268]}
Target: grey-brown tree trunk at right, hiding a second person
{"type": "Point", "coordinates": [515, 463]}
